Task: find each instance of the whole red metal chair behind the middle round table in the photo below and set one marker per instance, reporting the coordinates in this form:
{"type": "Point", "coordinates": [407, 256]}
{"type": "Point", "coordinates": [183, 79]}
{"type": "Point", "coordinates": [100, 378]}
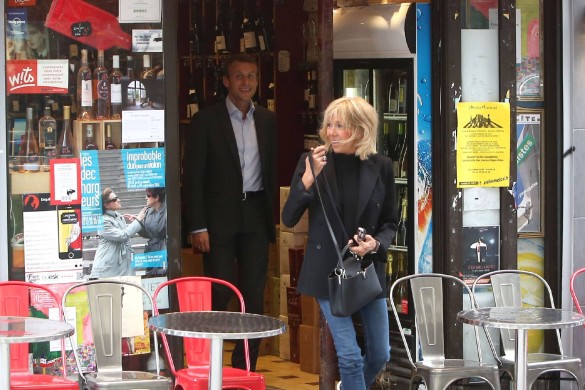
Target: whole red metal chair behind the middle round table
{"type": "Point", "coordinates": [194, 294]}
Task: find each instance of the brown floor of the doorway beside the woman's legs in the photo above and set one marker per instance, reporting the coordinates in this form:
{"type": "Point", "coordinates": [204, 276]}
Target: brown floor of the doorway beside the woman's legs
{"type": "Point", "coordinates": [280, 374]}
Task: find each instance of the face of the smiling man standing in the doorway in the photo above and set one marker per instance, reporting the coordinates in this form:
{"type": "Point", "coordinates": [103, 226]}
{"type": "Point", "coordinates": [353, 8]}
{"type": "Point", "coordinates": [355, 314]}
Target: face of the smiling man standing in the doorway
{"type": "Point", "coordinates": [241, 82]}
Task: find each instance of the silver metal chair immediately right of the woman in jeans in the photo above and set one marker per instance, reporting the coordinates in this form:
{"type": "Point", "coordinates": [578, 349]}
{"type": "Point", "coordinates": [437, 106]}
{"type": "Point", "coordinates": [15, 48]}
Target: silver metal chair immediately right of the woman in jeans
{"type": "Point", "coordinates": [434, 369]}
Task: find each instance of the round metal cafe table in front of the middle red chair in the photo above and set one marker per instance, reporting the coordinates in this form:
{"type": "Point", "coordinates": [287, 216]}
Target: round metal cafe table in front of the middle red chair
{"type": "Point", "coordinates": [217, 326]}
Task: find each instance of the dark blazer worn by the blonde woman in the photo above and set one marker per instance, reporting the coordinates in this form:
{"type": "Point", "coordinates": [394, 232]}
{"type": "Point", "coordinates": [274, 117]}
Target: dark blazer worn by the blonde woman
{"type": "Point", "coordinates": [376, 212]}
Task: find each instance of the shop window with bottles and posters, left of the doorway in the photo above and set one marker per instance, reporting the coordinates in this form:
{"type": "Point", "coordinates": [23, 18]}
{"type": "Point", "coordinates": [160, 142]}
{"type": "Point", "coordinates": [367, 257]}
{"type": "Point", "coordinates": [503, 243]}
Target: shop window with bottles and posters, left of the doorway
{"type": "Point", "coordinates": [57, 162]}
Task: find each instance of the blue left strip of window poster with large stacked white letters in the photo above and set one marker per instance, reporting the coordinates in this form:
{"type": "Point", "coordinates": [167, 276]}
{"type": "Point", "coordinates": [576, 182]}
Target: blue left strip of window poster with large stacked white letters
{"type": "Point", "coordinates": [91, 206]}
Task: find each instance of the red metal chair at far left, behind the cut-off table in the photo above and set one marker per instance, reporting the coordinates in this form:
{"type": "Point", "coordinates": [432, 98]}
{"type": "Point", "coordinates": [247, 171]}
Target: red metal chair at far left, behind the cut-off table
{"type": "Point", "coordinates": [14, 301]}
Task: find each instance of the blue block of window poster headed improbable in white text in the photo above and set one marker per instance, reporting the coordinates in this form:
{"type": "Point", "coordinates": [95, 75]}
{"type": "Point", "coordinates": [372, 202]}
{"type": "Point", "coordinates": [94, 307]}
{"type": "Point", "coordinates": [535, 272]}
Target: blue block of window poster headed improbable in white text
{"type": "Point", "coordinates": [144, 168]}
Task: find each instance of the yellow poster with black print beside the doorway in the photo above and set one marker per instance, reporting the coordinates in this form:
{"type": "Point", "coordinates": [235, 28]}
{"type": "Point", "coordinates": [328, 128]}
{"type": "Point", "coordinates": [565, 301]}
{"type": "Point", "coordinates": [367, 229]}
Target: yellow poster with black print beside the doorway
{"type": "Point", "coordinates": [483, 144]}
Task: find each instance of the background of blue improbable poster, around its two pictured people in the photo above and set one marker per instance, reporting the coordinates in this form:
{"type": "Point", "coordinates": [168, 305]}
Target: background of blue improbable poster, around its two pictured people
{"type": "Point", "coordinates": [132, 174]}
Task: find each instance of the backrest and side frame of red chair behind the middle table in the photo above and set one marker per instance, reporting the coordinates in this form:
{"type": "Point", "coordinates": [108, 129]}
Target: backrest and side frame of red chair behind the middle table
{"type": "Point", "coordinates": [195, 294]}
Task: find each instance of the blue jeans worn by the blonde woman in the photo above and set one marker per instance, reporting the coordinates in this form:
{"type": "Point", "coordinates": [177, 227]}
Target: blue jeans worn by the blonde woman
{"type": "Point", "coordinates": [359, 372]}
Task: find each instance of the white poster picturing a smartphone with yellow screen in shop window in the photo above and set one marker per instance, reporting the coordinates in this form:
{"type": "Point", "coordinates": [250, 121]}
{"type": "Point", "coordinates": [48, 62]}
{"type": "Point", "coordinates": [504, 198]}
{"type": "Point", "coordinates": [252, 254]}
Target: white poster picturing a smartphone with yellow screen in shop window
{"type": "Point", "coordinates": [52, 240]}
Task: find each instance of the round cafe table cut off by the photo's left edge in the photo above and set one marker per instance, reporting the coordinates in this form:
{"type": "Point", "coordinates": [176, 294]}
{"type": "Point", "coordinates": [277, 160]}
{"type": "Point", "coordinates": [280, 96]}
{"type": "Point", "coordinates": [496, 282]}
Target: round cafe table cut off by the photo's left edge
{"type": "Point", "coordinates": [15, 330]}
